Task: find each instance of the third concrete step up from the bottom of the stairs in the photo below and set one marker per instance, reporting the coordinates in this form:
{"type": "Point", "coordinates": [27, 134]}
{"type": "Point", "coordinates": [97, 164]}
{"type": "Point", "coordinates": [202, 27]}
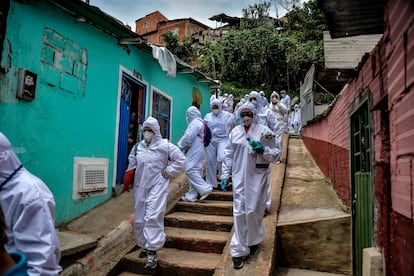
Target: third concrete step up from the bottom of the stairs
{"type": "Point", "coordinates": [199, 221]}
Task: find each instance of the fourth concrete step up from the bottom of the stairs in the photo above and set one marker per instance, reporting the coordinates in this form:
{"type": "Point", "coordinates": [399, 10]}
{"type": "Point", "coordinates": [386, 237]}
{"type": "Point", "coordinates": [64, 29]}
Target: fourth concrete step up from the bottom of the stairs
{"type": "Point", "coordinates": [207, 207]}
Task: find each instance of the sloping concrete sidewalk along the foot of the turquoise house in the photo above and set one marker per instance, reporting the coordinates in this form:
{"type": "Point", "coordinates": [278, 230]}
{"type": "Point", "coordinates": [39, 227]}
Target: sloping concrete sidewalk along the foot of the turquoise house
{"type": "Point", "coordinates": [102, 228]}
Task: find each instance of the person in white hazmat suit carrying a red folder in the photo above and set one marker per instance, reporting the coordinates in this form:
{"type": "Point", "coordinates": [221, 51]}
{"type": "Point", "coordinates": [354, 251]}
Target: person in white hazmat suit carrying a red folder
{"type": "Point", "coordinates": [156, 161]}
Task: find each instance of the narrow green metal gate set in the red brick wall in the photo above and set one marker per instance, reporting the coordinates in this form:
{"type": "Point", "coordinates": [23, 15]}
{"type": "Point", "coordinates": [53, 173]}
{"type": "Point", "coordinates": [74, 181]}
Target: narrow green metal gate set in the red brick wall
{"type": "Point", "coordinates": [362, 203]}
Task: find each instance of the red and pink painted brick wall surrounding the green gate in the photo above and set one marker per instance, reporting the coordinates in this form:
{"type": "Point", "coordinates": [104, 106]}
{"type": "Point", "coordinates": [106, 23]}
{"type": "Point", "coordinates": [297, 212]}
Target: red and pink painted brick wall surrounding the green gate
{"type": "Point", "coordinates": [389, 75]}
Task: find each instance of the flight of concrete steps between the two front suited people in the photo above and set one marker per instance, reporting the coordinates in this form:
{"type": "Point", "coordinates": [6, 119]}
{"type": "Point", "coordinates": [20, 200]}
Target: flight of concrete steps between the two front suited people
{"type": "Point", "coordinates": [197, 233]}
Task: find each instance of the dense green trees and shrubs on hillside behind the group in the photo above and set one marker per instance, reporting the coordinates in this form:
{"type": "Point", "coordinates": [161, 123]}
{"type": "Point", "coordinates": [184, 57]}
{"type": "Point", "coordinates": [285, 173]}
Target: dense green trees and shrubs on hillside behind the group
{"type": "Point", "coordinates": [257, 56]}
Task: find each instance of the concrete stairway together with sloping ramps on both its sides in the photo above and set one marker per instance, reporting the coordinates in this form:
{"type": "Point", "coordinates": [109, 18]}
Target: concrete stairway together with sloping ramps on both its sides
{"type": "Point", "coordinates": [303, 234]}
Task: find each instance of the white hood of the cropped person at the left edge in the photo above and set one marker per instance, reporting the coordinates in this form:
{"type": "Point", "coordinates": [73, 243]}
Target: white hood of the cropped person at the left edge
{"type": "Point", "coordinates": [9, 162]}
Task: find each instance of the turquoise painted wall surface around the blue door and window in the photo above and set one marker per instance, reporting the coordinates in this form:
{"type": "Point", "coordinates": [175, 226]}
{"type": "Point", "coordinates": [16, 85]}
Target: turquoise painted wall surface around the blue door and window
{"type": "Point", "coordinates": [75, 117]}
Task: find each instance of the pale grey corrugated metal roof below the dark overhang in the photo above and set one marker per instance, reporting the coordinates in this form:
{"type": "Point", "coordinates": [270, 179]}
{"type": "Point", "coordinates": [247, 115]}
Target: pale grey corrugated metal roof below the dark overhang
{"type": "Point", "coordinates": [347, 52]}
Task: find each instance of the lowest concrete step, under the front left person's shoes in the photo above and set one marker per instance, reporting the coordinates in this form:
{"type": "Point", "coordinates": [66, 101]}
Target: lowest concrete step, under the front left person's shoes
{"type": "Point", "coordinates": [174, 262]}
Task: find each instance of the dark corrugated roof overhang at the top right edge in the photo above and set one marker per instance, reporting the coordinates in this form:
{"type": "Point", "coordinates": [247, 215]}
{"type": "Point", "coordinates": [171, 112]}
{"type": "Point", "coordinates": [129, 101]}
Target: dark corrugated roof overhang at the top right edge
{"type": "Point", "coordinates": [353, 17]}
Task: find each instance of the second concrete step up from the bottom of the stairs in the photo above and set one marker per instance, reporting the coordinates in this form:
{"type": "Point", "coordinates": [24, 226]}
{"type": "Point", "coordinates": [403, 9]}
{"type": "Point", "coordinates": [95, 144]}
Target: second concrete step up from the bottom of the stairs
{"type": "Point", "coordinates": [200, 240]}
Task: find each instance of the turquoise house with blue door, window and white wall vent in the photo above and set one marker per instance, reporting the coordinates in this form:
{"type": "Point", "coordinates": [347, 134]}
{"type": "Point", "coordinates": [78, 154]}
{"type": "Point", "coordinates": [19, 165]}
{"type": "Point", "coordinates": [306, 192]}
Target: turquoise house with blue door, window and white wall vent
{"type": "Point", "coordinates": [71, 76]}
